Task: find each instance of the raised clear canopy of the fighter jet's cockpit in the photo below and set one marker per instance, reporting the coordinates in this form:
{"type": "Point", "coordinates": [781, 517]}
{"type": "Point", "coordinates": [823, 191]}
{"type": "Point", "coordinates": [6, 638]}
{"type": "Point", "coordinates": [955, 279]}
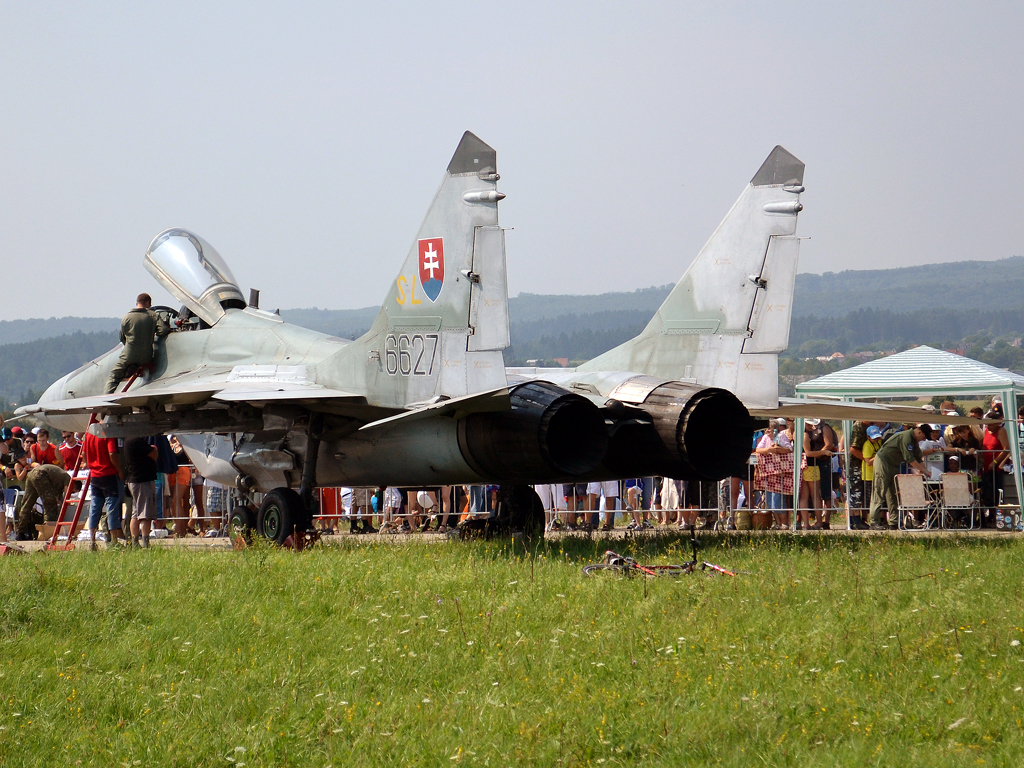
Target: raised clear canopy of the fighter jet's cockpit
{"type": "Point", "coordinates": [193, 272]}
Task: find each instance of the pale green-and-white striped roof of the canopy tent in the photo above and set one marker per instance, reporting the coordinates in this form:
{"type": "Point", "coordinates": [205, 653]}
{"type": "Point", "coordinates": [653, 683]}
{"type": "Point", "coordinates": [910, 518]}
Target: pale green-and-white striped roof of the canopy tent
{"type": "Point", "coordinates": [920, 371]}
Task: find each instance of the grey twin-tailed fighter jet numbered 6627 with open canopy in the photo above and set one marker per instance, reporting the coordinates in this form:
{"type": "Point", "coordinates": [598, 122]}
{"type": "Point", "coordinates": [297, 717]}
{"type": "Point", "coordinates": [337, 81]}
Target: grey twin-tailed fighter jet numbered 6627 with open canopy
{"type": "Point", "coordinates": [424, 400]}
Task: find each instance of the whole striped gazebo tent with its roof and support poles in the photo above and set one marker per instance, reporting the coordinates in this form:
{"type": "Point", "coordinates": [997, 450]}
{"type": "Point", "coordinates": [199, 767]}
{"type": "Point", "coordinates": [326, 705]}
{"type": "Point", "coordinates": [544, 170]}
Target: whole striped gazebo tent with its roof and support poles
{"type": "Point", "coordinates": [922, 371]}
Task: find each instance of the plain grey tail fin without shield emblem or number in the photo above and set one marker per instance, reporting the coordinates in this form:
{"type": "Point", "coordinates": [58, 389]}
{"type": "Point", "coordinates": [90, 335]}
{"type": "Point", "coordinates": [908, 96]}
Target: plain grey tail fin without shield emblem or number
{"type": "Point", "coordinates": [729, 318]}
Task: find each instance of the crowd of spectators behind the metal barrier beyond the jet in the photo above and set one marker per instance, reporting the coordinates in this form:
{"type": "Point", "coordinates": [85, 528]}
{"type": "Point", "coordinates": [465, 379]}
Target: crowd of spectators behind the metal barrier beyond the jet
{"type": "Point", "coordinates": [151, 484]}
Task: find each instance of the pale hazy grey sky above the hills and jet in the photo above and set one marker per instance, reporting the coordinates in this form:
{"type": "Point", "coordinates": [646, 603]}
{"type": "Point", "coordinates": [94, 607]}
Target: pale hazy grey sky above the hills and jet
{"type": "Point", "coordinates": [306, 141]}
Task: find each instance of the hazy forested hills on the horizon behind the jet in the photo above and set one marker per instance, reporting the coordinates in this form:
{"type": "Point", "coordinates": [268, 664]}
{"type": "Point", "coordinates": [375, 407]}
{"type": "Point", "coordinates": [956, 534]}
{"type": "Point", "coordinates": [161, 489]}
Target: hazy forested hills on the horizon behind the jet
{"type": "Point", "coordinates": [835, 312]}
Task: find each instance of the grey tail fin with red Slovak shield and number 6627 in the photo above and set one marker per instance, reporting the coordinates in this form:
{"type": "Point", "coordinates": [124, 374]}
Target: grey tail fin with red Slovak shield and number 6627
{"type": "Point", "coordinates": [444, 324]}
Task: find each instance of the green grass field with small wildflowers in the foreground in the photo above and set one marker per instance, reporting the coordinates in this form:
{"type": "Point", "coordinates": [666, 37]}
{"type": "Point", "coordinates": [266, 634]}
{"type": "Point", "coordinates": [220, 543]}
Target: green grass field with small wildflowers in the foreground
{"type": "Point", "coordinates": [831, 652]}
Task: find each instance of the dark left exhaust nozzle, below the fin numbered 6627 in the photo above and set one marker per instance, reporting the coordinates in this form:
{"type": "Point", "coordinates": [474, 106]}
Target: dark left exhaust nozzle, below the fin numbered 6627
{"type": "Point", "coordinates": [550, 435]}
